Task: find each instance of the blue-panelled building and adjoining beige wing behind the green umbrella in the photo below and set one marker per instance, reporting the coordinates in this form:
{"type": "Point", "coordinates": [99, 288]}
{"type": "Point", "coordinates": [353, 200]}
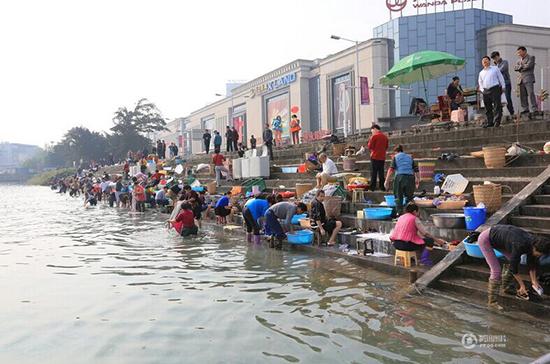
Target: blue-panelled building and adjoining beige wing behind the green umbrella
{"type": "Point", "coordinates": [467, 33]}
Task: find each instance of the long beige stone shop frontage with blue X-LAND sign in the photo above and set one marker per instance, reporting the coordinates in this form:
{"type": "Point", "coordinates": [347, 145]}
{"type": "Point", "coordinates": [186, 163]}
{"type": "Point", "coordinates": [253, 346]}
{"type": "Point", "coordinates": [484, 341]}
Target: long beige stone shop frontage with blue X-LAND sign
{"type": "Point", "coordinates": [322, 93]}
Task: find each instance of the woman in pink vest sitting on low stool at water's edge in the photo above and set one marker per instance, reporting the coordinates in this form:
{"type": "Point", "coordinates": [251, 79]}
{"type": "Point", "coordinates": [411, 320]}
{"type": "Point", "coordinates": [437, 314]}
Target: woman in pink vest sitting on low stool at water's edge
{"type": "Point", "coordinates": [410, 235]}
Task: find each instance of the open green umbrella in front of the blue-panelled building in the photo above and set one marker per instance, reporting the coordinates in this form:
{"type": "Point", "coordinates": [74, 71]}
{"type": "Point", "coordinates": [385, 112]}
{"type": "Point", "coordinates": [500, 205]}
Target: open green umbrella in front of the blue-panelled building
{"type": "Point", "coordinates": [422, 66]}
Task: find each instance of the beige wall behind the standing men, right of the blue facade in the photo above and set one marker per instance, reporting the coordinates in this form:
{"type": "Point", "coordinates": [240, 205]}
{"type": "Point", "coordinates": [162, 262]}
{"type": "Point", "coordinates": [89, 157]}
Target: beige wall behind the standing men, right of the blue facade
{"type": "Point", "coordinates": [507, 38]}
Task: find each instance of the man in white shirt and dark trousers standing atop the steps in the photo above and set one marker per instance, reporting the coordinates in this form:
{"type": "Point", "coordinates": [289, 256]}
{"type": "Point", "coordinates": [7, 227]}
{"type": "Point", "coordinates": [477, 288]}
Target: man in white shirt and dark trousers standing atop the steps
{"type": "Point", "coordinates": [491, 85]}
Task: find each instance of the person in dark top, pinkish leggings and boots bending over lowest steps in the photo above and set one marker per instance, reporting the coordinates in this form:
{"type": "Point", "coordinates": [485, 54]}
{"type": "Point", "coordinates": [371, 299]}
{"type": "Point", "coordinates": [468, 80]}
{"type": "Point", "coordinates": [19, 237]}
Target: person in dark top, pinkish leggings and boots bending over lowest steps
{"type": "Point", "coordinates": [512, 242]}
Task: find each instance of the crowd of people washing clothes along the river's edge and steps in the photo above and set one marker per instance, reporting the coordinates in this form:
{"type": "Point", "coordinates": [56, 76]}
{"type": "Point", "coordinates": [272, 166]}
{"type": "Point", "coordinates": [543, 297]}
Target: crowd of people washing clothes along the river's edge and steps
{"type": "Point", "coordinates": [270, 215]}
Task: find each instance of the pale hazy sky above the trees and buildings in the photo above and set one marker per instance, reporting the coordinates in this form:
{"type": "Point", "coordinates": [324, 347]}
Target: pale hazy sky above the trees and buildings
{"type": "Point", "coordinates": [68, 63]}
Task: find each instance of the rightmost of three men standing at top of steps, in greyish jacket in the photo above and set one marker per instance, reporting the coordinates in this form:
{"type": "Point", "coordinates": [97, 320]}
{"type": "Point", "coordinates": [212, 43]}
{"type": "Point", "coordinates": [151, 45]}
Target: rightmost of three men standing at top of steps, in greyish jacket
{"type": "Point", "coordinates": [526, 80]}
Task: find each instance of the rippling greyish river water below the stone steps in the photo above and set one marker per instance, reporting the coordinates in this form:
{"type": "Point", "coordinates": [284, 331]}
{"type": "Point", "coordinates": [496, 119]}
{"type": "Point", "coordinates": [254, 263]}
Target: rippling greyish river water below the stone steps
{"type": "Point", "coordinates": [99, 285]}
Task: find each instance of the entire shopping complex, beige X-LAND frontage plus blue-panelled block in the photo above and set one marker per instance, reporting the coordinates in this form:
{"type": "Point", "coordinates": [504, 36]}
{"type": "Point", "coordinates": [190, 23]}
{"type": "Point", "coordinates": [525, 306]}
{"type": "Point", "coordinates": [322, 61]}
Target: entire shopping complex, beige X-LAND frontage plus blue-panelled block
{"type": "Point", "coordinates": [326, 94]}
